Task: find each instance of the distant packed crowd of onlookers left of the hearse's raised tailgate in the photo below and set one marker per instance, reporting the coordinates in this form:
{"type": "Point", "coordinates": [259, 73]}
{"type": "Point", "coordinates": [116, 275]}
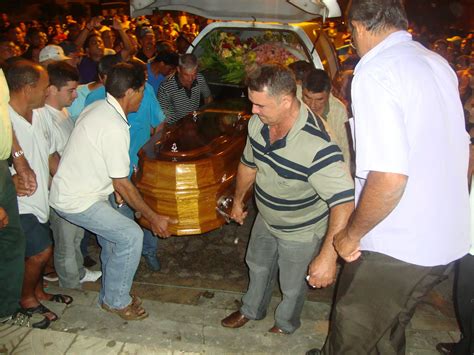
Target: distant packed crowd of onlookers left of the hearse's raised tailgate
{"type": "Point", "coordinates": [26, 39]}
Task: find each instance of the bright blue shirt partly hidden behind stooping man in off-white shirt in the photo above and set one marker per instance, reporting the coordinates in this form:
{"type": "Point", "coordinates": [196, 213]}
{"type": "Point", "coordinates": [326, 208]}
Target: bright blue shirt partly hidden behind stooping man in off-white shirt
{"type": "Point", "coordinates": [149, 115]}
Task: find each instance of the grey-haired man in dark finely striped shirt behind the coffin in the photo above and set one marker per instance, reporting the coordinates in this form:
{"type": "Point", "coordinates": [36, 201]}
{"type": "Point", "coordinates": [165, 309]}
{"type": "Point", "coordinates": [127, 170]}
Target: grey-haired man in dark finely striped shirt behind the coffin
{"type": "Point", "coordinates": [181, 93]}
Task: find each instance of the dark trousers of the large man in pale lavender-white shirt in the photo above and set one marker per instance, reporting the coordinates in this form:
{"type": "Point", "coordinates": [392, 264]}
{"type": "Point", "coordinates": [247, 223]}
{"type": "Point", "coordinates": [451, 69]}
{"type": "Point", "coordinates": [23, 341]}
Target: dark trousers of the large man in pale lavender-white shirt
{"type": "Point", "coordinates": [376, 298]}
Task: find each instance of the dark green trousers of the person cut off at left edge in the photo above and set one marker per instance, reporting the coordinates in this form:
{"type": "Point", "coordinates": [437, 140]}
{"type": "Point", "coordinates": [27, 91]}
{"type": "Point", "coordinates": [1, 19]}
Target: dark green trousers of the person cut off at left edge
{"type": "Point", "coordinates": [12, 247]}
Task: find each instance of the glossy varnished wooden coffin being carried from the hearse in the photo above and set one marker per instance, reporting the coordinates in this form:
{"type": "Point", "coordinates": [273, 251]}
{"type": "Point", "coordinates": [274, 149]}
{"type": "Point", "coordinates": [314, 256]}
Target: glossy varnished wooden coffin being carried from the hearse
{"type": "Point", "coordinates": [185, 170]}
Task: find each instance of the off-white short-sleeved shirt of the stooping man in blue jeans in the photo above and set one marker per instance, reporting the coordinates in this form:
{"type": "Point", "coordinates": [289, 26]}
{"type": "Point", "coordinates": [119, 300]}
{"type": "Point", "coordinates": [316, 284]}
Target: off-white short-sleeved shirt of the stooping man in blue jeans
{"type": "Point", "coordinates": [96, 153]}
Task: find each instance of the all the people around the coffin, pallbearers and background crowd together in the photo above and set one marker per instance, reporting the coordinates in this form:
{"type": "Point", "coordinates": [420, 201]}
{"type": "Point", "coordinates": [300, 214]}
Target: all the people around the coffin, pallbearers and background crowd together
{"type": "Point", "coordinates": [65, 173]}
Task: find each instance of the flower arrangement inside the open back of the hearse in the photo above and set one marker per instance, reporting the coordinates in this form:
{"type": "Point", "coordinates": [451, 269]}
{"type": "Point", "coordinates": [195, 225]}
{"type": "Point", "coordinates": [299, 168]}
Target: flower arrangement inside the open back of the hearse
{"type": "Point", "coordinates": [228, 54]}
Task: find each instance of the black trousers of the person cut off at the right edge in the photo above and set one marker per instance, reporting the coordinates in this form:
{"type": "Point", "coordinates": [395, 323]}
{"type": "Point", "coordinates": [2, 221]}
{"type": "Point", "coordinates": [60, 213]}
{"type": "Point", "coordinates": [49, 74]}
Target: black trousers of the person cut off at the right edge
{"type": "Point", "coordinates": [464, 301]}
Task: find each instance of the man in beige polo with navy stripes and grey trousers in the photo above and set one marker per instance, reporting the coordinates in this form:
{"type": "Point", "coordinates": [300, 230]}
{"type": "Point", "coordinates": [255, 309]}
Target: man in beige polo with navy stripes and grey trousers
{"type": "Point", "coordinates": [304, 196]}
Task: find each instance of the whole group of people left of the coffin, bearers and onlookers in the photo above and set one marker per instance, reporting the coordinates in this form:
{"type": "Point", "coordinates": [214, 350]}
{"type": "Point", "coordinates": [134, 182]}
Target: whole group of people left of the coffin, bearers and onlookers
{"type": "Point", "coordinates": [54, 81]}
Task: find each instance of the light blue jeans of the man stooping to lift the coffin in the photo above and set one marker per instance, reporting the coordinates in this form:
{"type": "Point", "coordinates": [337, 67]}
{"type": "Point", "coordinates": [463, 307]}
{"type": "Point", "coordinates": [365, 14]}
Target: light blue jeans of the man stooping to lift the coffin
{"type": "Point", "coordinates": [121, 240]}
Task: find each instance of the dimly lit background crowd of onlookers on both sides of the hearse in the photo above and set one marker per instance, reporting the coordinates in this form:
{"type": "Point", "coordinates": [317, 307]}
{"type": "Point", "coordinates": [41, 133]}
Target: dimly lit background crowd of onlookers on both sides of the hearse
{"type": "Point", "coordinates": [176, 31]}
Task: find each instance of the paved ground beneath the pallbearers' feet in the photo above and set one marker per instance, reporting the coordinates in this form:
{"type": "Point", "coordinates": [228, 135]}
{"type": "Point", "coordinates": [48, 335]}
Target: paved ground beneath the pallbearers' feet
{"type": "Point", "coordinates": [202, 281]}
